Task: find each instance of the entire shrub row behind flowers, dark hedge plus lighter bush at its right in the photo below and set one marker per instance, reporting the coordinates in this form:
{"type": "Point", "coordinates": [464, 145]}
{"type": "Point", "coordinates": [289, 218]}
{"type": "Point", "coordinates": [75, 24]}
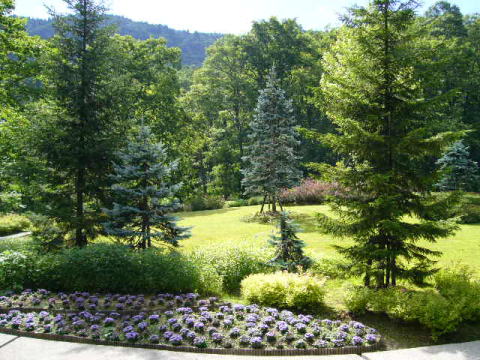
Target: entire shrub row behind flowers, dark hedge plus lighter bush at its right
{"type": "Point", "coordinates": [117, 268]}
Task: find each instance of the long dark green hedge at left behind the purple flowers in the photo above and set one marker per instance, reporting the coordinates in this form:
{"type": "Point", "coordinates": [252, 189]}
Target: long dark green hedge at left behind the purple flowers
{"type": "Point", "coordinates": [103, 268]}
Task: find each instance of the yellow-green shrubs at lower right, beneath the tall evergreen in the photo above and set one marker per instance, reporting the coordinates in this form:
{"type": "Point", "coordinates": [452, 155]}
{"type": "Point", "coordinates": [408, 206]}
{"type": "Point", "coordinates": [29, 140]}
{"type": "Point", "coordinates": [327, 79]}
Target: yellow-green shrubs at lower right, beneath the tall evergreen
{"type": "Point", "coordinates": [454, 299]}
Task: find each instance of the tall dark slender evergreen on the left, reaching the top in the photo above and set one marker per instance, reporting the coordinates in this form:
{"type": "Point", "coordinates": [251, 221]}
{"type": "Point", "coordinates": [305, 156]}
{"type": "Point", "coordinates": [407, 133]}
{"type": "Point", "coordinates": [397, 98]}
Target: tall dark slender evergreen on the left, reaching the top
{"type": "Point", "coordinates": [85, 128]}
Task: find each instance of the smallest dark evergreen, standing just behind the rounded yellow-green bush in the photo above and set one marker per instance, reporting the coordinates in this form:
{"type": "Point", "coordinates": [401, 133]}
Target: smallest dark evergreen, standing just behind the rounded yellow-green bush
{"type": "Point", "coordinates": [289, 248]}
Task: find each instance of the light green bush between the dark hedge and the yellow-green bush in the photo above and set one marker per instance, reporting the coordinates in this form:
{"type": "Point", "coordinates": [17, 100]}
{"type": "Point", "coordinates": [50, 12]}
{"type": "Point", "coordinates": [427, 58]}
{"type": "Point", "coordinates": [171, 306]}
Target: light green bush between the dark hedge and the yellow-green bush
{"type": "Point", "coordinates": [232, 263]}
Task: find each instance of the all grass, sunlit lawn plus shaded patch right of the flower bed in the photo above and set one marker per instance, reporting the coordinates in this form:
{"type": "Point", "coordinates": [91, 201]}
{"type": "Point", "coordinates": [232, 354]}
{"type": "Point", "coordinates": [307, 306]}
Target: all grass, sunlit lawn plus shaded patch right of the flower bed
{"type": "Point", "coordinates": [225, 226]}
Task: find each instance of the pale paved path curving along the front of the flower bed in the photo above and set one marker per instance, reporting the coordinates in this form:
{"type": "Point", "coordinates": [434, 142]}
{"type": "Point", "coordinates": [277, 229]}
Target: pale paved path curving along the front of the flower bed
{"type": "Point", "coordinates": [20, 348]}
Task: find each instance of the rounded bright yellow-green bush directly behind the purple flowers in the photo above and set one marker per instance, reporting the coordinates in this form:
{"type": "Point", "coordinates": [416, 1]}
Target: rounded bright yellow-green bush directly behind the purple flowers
{"type": "Point", "coordinates": [285, 290]}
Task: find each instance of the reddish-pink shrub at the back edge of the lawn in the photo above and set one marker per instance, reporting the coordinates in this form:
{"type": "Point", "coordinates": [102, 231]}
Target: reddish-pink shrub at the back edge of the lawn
{"type": "Point", "coordinates": [309, 192]}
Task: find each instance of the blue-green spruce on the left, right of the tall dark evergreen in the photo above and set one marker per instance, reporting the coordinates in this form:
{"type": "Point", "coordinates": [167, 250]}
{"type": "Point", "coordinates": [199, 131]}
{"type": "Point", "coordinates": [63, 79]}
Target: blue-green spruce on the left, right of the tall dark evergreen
{"type": "Point", "coordinates": [143, 195]}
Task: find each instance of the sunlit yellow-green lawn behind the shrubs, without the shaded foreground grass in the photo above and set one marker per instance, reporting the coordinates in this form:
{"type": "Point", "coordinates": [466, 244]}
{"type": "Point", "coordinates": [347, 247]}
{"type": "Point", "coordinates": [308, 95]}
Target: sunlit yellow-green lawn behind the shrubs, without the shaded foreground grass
{"type": "Point", "coordinates": [226, 226]}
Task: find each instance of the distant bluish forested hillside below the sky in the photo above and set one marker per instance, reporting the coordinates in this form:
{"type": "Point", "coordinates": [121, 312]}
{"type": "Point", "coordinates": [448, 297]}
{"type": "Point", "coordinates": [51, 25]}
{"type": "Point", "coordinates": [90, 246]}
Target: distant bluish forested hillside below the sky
{"type": "Point", "coordinates": [193, 44]}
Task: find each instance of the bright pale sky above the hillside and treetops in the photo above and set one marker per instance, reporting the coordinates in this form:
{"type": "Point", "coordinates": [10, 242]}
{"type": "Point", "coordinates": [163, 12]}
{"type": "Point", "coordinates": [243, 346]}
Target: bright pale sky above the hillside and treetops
{"type": "Point", "coordinates": [224, 16]}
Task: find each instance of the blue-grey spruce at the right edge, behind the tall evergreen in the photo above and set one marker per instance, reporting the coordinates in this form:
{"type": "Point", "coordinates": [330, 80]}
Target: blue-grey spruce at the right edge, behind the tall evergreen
{"type": "Point", "coordinates": [461, 173]}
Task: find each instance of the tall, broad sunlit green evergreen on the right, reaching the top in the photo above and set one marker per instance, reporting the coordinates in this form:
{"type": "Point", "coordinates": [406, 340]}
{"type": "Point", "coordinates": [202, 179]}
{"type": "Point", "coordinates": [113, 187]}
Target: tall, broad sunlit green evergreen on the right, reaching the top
{"type": "Point", "coordinates": [371, 93]}
